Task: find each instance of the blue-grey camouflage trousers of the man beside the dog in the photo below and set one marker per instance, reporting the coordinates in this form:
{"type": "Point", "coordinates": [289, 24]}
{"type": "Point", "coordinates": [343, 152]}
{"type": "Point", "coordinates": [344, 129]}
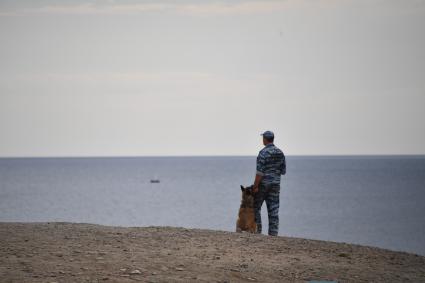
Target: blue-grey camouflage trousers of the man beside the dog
{"type": "Point", "coordinates": [270, 194]}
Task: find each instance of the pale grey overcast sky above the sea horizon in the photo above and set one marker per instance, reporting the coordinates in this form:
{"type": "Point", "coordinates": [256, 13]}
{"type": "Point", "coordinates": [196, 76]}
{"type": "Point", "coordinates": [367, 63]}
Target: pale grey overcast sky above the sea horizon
{"type": "Point", "coordinates": [106, 78]}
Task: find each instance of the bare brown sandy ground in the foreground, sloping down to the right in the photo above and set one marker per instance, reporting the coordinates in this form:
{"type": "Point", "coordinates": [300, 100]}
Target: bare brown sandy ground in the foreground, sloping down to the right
{"type": "Point", "coordinates": [67, 252]}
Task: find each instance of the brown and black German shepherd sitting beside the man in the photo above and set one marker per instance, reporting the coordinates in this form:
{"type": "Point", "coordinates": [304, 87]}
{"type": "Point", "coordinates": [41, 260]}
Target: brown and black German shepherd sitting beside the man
{"type": "Point", "coordinates": [246, 219]}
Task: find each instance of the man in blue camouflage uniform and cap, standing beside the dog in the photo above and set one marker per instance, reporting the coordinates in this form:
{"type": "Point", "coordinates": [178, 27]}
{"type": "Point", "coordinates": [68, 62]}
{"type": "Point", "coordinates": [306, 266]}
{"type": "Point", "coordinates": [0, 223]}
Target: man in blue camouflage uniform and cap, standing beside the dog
{"type": "Point", "coordinates": [270, 166]}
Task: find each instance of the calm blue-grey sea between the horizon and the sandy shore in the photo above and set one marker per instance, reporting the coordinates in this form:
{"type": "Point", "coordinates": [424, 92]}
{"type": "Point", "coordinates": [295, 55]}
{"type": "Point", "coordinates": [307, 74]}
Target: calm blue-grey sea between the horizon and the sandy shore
{"type": "Point", "coordinates": [377, 201]}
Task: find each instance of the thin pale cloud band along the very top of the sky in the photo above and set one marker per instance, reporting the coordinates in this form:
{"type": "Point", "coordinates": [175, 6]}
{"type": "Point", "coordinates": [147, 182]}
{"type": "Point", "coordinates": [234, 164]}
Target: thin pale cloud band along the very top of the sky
{"type": "Point", "coordinates": [199, 8]}
